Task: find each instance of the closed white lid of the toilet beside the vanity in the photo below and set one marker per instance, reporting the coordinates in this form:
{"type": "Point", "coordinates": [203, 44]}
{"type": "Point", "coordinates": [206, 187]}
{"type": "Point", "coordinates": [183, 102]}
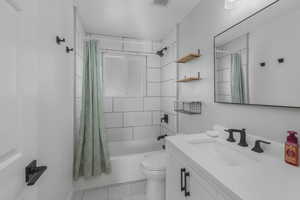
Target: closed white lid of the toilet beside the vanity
{"type": "Point", "coordinates": [155, 162]}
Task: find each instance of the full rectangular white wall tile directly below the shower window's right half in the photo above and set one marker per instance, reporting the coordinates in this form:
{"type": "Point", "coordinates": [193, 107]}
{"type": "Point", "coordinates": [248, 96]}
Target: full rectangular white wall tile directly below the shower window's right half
{"type": "Point", "coordinates": [127, 104]}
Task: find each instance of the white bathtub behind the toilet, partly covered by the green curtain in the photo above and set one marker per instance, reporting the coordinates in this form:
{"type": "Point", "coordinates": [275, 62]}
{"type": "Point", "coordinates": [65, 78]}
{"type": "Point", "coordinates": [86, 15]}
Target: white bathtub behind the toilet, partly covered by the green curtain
{"type": "Point", "coordinates": [125, 161]}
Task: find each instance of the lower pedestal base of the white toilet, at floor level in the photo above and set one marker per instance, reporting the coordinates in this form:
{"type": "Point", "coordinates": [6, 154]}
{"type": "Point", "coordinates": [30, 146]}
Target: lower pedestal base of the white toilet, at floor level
{"type": "Point", "coordinates": [155, 189]}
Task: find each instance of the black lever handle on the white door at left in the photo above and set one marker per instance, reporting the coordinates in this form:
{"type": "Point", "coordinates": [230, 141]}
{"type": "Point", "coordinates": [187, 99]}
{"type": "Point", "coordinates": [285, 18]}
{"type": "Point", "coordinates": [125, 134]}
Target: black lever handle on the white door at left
{"type": "Point", "coordinates": [33, 173]}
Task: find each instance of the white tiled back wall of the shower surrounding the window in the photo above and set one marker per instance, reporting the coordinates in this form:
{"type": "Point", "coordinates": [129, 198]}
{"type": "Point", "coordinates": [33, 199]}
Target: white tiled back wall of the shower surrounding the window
{"type": "Point", "coordinates": [134, 118]}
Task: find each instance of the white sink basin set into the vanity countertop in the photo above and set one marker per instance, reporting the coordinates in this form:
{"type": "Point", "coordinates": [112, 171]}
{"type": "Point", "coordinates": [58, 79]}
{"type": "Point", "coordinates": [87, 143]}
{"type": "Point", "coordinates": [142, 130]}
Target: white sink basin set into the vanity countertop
{"type": "Point", "coordinates": [223, 153]}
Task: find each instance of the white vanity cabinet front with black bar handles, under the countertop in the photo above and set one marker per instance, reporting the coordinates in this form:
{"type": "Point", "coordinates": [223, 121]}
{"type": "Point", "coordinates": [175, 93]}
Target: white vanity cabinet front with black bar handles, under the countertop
{"type": "Point", "coordinates": [182, 183]}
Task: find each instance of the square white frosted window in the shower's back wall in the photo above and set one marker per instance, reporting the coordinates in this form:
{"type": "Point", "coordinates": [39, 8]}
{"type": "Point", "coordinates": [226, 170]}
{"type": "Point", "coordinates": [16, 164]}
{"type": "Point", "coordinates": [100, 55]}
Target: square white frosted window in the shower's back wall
{"type": "Point", "coordinates": [124, 75]}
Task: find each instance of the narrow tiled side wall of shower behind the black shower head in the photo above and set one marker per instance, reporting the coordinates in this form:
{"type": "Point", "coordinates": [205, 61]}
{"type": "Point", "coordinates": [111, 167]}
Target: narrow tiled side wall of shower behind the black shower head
{"type": "Point", "coordinates": [168, 82]}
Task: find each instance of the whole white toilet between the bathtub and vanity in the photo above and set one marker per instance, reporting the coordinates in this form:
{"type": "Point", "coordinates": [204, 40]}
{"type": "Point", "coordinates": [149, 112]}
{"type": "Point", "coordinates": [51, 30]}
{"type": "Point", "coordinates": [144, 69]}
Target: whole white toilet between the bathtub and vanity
{"type": "Point", "coordinates": [154, 168]}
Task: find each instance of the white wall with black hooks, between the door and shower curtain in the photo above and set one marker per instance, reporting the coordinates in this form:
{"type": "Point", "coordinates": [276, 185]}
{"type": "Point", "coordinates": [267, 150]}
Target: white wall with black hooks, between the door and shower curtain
{"type": "Point", "coordinates": [55, 97]}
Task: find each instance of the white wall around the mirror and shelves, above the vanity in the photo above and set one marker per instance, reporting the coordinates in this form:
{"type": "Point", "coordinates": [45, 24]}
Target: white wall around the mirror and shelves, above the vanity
{"type": "Point", "coordinates": [197, 31]}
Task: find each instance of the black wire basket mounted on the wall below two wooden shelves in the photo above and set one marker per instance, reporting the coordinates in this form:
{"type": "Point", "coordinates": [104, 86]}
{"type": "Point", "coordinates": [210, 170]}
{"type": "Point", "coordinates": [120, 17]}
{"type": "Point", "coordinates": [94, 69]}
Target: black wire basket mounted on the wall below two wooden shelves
{"type": "Point", "coordinates": [188, 107]}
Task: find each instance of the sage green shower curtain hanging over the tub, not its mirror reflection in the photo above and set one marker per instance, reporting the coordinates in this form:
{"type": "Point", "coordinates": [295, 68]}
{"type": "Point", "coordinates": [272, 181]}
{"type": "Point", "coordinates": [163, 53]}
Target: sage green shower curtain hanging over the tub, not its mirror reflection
{"type": "Point", "coordinates": [91, 150]}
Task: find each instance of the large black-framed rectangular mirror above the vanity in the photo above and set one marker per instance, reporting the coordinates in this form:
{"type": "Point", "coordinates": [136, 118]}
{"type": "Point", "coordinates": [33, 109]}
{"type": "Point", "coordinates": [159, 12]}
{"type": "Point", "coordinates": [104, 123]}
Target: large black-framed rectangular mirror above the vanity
{"type": "Point", "coordinates": [257, 61]}
